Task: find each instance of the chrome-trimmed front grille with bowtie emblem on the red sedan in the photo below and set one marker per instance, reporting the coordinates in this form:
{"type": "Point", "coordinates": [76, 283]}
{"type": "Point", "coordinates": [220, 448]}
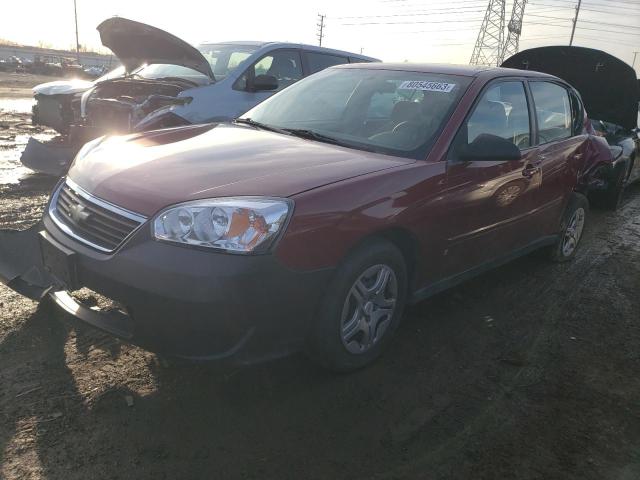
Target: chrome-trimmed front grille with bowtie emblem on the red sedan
{"type": "Point", "coordinates": [92, 221]}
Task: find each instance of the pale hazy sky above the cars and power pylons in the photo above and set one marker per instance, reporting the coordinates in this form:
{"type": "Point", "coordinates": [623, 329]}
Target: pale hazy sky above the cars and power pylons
{"type": "Point", "coordinates": [392, 30]}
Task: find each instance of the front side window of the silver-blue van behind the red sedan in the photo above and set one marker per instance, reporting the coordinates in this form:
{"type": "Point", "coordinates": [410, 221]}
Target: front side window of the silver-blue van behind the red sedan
{"type": "Point", "coordinates": [284, 65]}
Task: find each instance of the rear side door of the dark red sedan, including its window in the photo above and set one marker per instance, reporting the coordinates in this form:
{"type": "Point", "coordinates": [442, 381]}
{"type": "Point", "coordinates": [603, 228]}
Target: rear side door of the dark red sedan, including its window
{"type": "Point", "coordinates": [559, 140]}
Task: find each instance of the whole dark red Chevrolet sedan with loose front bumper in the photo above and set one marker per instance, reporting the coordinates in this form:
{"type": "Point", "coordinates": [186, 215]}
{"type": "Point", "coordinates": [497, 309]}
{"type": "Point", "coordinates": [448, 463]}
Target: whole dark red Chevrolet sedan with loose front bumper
{"type": "Point", "coordinates": [313, 220]}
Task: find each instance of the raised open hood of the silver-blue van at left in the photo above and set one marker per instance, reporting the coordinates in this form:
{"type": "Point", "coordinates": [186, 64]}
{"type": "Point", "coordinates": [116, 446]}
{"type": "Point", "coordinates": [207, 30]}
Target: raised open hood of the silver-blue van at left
{"type": "Point", "coordinates": [136, 44]}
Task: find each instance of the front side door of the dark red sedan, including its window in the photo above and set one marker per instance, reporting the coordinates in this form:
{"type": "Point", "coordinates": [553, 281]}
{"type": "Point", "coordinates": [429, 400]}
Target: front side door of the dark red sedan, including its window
{"type": "Point", "coordinates": [489, 201]}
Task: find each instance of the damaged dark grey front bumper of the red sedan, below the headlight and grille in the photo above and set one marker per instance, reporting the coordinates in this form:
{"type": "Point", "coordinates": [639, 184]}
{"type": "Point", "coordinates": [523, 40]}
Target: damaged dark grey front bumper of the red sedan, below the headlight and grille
{"type": "Point", "coordinates": [188, 302]}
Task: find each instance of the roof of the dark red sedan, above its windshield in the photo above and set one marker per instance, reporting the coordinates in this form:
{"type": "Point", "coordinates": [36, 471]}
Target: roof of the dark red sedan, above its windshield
{"type": "Point", "coordinates": [449, 69]}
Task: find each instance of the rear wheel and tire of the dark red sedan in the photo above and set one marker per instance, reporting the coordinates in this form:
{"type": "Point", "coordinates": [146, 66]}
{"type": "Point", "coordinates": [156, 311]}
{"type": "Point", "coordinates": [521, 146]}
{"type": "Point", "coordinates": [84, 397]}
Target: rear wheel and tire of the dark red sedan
{"type": "Point", "coordinates": [572, 229]}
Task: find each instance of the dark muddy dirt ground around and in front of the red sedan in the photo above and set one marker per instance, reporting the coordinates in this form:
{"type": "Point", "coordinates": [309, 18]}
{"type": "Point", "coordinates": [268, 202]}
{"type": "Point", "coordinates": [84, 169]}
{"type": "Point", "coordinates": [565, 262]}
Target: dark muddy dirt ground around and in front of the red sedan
{"type": "Point", "coordinates": [528, 372]}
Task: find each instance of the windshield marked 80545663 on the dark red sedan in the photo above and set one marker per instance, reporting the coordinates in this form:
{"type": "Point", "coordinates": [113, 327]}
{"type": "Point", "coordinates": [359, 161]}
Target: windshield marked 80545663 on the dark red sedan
{"type": "Point", "coordinates": [392, 112]}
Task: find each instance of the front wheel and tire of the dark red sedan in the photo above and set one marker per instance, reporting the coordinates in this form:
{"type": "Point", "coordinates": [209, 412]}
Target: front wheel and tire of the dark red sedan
{"type": "Point", "coordinates": [361, 309]}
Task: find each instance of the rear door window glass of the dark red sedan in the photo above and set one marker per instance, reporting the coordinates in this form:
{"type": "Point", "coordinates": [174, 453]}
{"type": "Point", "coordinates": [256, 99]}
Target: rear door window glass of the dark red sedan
{"type": "Point", "coordinates": [553, 111]}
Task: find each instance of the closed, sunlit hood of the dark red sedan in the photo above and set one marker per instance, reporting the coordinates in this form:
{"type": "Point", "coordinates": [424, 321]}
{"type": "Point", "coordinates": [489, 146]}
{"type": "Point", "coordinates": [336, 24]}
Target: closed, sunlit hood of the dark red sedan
{"type": "Point", "coordinates": [147, 172]}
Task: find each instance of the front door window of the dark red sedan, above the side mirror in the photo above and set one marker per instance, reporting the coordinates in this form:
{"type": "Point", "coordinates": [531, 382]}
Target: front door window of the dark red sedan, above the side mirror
{"type": "Point", "coordinates": [502, 111]}
